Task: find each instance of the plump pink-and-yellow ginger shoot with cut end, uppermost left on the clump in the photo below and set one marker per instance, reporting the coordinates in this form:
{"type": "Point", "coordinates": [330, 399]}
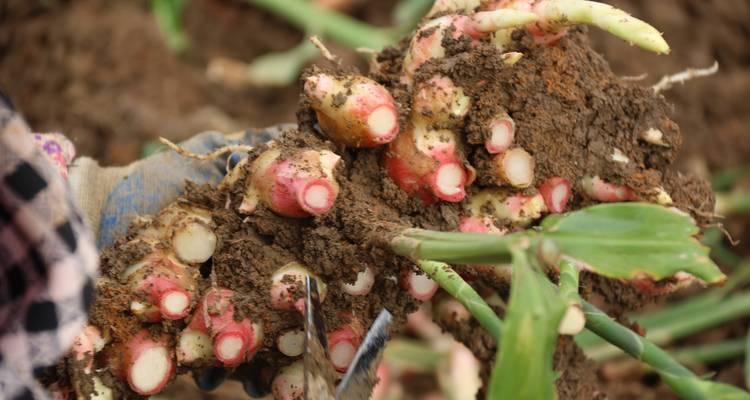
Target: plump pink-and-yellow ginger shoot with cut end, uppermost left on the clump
{"type": "Point", "coordinates": [354, 111]}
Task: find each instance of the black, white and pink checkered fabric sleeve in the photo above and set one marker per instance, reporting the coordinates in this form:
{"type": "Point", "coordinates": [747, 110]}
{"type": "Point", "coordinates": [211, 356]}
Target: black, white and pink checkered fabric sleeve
{"type": "Point", "coordinates": [48, 262]}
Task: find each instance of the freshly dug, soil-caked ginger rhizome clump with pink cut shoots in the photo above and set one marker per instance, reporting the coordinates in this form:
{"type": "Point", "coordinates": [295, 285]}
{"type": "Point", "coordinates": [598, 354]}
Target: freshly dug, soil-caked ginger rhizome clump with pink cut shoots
{"type": "Point", "coordinates": [482, 121]}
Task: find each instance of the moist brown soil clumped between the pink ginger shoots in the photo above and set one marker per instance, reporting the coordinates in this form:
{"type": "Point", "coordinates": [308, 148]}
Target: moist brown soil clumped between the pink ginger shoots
{"type": "Point", "coordinates": [571, 113]}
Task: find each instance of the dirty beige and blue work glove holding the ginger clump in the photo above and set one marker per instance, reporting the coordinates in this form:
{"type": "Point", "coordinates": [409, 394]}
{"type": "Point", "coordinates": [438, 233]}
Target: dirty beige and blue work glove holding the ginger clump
{"type": "Point", "coordinates": [110, 197]}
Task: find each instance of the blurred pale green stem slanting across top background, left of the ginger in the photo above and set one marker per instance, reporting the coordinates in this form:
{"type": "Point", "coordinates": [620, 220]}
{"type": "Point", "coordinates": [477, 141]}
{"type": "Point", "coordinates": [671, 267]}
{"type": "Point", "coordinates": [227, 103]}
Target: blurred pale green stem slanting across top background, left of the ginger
{"type": "Point", "coordinates": [341, 28]}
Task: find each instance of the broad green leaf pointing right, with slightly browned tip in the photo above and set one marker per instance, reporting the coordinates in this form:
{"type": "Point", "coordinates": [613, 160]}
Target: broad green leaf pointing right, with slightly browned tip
{"type": "Point", "coordinates": [631, 240]}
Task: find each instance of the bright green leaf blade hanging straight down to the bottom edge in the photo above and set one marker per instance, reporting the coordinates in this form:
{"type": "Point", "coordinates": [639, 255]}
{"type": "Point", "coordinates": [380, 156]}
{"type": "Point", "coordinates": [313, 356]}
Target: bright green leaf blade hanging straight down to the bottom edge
{"type": "Point", "coordinates": [524, 364]}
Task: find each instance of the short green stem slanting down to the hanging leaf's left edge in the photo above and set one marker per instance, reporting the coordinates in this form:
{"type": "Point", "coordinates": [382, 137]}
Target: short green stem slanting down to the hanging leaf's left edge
{"type": "Point", "coordinates": [452, 283]}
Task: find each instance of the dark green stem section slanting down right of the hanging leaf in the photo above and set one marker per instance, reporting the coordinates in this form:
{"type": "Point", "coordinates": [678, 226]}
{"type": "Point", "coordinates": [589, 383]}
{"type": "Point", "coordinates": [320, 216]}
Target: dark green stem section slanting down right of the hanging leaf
{"type": "Point", "coordinates": [630, 342]}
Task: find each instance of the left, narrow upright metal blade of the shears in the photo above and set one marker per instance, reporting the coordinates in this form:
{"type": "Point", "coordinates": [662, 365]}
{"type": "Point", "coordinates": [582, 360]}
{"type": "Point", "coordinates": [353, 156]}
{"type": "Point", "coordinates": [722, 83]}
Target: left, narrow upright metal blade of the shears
{"type": "Point", "coordinates": [319, 373]}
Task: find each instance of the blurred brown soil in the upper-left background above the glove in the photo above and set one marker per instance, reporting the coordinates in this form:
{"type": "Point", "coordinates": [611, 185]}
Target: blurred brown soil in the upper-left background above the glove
{"type": "Point", "coordinates": [100, 72]}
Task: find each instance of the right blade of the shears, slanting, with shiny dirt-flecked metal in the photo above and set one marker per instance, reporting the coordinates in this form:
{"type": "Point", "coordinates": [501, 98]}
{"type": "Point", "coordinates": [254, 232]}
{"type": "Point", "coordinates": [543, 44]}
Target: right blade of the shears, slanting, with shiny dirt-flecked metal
{"type": "Point", "coordinates": [361, 376]}
